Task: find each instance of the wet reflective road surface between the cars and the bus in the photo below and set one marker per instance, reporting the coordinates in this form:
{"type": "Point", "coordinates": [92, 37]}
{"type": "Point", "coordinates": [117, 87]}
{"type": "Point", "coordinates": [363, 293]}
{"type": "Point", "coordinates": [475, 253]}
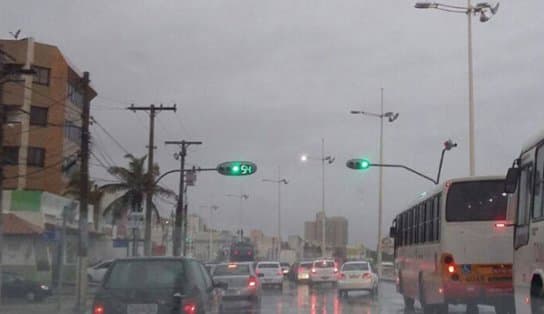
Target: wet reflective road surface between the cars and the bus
{"type": "Point", "coordinates": [324, 300]}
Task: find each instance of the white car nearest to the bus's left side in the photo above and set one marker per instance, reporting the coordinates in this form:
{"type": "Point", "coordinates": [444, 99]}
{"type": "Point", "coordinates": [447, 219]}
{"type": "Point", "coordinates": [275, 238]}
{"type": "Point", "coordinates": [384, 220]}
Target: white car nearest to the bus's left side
{"type": "Point", "coordinates": [357, 276]}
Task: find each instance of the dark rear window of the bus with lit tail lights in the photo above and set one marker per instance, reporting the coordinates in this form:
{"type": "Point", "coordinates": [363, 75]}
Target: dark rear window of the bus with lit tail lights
{"type": "Point", "coordinates": [476, 201]}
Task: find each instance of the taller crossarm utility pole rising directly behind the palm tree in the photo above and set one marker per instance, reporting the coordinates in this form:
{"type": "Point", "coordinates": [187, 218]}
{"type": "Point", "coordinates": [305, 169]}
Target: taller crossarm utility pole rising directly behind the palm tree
{"type": "Point", "coordinates": [150, 180]}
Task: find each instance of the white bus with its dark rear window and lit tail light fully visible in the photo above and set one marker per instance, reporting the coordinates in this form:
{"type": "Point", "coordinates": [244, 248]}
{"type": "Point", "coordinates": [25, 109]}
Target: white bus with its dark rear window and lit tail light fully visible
{"type": "Point", "coordinates": [453, 246]}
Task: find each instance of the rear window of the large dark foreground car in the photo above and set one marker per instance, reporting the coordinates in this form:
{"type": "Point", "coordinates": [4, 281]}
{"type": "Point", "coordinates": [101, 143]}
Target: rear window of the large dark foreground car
{"type": "Point", "coordinates": [148, 274]}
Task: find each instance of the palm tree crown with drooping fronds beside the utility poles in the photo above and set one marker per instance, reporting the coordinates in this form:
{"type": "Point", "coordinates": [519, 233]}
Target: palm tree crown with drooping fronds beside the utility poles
{"type": "Point", "coordinates": [132, 186]}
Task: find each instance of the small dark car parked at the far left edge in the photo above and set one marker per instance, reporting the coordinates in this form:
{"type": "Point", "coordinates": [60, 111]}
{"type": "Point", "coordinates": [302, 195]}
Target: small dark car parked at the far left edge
{"type": "Point", "coordinates": [15, 286]}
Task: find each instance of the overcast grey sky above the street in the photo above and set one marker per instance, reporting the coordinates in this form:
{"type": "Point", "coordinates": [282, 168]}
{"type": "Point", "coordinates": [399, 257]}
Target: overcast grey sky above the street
{"type": "Point", "coordinates": [266, 80]}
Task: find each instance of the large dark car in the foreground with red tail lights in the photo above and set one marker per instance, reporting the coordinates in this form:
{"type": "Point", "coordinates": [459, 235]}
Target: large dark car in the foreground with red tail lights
{"type": "Point", "coordinates": [158, 285]}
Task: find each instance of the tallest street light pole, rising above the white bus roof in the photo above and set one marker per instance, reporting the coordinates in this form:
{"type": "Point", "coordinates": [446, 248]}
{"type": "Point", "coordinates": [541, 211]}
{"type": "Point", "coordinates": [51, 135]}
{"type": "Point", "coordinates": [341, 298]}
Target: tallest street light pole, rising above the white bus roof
{"type": "Point", "coordinates": [486, 11]}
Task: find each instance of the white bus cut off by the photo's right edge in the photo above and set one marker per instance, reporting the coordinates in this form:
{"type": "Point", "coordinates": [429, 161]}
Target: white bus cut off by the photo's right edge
{"type": "Point", "coordinates": [526, 206]}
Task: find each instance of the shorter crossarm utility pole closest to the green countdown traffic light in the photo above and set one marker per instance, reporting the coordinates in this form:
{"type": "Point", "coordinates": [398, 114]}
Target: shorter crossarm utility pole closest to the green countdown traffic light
{"type": "Point", "coordinates": [181, 209]}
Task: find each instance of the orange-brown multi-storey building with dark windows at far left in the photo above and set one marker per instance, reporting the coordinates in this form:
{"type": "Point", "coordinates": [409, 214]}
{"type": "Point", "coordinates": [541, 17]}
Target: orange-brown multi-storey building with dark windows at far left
{"type": "Point", "coordinates": [42, 127]}
